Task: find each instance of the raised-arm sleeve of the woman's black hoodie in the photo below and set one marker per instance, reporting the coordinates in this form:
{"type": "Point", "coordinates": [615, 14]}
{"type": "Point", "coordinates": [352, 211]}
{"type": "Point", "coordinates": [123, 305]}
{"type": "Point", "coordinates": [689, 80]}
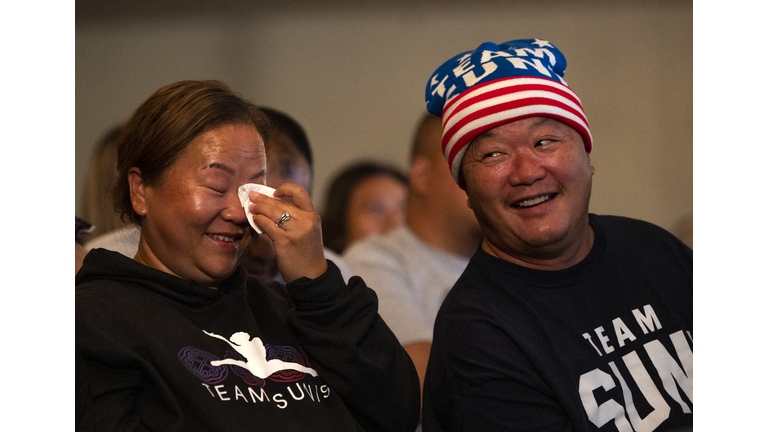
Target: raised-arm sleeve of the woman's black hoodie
{"type": "Point", "coordinates": [356, 353]}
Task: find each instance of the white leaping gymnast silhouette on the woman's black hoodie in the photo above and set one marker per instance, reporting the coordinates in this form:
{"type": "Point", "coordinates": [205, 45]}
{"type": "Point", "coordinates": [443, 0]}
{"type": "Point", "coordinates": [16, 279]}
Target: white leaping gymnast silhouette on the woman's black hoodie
{"type": "Point", "coordinates": [256, 356]}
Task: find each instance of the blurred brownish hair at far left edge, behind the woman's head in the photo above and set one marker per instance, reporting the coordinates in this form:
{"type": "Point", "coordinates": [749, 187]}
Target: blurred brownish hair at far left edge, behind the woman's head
{"type": "Point", "coordinates": [95, 205]}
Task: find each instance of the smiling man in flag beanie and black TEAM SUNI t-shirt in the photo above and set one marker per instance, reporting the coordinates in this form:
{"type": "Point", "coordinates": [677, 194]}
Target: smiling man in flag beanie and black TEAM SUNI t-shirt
{"type": "Point", "coordinates": [563, 320]}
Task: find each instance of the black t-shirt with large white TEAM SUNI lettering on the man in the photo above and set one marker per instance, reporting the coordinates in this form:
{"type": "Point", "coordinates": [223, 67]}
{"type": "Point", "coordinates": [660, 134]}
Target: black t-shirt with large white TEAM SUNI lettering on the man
{"type": "Point", "coordinates": [604, 345]}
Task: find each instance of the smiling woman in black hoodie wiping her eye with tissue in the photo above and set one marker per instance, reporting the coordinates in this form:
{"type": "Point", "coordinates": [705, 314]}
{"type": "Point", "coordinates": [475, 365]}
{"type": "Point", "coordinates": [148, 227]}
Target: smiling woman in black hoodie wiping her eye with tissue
{"type": "Point", "coordinates": [180, 339]}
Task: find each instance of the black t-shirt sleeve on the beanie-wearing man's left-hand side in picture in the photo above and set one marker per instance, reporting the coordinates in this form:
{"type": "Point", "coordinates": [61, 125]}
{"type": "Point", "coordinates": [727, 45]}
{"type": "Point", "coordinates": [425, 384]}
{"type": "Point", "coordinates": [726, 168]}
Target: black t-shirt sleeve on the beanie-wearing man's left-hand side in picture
{"type": "Point", "coordinates": [496, 388]}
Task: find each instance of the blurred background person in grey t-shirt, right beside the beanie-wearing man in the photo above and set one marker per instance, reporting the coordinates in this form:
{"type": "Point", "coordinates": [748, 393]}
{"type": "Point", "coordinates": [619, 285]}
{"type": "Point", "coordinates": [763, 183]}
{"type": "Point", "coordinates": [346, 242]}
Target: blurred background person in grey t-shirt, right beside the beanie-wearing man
{"type": "Point", "coordinates": [413, 267]}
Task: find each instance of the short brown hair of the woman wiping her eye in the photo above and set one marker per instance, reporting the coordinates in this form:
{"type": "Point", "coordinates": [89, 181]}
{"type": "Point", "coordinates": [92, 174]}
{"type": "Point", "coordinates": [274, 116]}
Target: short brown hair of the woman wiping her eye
{"type": "Point", "coordinates": [162, 127]}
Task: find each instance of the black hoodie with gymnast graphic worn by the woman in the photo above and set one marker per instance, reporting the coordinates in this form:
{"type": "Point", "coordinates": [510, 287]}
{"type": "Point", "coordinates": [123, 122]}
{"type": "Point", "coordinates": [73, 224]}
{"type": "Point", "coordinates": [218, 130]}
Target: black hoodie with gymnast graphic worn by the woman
{"type": "Point", "coordinates": [156, 352]}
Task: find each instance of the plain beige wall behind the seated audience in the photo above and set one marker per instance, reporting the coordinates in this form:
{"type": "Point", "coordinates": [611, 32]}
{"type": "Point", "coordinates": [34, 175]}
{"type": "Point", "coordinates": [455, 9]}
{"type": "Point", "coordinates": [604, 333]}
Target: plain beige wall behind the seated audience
{"type": "Point", "coordinates": [354, 73]}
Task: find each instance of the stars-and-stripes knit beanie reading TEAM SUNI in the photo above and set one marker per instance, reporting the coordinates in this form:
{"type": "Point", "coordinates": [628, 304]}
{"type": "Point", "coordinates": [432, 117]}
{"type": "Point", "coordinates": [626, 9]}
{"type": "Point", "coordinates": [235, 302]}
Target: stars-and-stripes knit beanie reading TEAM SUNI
{"type": "Point", "coordinates": [496, 84]}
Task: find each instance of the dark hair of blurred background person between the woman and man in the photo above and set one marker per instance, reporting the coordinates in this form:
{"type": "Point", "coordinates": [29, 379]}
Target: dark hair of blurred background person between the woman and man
{"type": "Point", "coordinates": [338, 196]}
